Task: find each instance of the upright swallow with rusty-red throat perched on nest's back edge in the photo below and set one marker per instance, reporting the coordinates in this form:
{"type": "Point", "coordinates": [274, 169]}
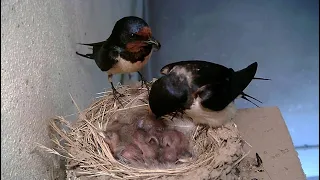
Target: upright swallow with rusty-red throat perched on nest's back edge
{"type": "Point", "coordinates": [127, 50]}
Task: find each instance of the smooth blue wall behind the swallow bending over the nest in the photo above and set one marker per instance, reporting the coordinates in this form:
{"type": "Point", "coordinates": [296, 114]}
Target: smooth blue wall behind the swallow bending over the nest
{"type": "Point", "coordinates": [282, 36]}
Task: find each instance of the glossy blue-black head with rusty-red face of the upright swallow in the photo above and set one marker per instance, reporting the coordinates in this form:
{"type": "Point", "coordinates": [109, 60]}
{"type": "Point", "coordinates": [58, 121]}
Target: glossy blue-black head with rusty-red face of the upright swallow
{"type": "Point", "coordinates": [133, 33]}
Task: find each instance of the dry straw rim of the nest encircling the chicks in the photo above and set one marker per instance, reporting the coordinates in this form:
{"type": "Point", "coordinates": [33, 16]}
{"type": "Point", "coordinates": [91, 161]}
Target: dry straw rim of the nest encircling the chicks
{"type": "Point", "coordinates": [103, 162]}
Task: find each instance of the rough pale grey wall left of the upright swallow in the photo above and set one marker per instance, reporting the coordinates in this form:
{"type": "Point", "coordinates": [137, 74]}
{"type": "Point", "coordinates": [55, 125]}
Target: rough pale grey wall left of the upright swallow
{"type": "Point", "coordinates": [40, 68]}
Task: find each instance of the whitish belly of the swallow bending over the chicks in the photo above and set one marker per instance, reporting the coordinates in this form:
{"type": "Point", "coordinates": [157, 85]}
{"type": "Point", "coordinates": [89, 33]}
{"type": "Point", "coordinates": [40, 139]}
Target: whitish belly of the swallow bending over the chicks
{"type": "Point", "coordinates": [202, 115]}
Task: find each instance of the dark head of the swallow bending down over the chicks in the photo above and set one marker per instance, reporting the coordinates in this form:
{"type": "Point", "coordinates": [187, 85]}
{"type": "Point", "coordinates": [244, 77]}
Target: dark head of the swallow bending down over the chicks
{"type": "Point", "coordinates": [168, 94]}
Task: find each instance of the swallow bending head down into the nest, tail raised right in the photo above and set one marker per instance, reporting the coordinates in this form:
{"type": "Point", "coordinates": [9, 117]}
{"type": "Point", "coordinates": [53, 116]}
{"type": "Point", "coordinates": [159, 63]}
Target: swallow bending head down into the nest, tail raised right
{"type": "Point", "coordinates": [205, 91]}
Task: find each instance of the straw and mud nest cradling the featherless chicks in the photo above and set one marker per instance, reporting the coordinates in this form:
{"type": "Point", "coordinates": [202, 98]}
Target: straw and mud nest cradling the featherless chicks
{"type": "Point", "coordinates": [213, 153]}
